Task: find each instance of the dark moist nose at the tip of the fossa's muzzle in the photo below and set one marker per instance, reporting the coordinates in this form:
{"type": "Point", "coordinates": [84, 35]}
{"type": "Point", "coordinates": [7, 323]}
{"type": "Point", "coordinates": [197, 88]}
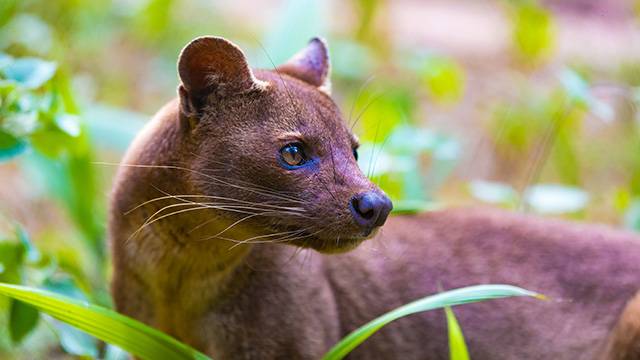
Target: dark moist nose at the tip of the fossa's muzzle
{"type": "Point", "coordinates": [370, 209]}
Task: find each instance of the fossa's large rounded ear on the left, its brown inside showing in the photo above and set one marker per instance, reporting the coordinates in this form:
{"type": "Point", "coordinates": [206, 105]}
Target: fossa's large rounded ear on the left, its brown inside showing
{"type": "Point", "coordinates": [213, 68]}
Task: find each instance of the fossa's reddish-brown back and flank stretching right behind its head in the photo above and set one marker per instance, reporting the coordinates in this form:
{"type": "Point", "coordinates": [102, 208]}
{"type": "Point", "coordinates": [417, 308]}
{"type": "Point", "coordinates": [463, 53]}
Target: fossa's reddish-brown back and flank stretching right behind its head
{"type": "Point", "coordinates": [588, 272]}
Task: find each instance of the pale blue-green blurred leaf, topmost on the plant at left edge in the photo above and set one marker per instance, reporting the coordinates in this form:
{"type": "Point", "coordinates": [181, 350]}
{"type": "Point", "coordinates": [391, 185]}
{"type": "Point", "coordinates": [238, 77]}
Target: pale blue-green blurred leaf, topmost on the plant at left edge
{"type": "Point", "coordinates": [31, 73]}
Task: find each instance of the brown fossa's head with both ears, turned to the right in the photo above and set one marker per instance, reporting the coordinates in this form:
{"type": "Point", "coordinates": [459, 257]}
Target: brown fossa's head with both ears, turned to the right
{"type": "Point", "coordinates": [275, 144]}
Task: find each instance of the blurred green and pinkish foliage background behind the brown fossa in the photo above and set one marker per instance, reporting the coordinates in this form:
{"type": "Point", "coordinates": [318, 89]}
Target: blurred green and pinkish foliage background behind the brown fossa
{"type": "Point", "coordinates": [528, 105]}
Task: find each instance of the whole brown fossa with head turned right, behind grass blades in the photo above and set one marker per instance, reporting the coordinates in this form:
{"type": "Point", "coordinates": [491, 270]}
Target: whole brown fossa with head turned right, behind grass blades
{"type": "Point", "coordinates": [219, 165]}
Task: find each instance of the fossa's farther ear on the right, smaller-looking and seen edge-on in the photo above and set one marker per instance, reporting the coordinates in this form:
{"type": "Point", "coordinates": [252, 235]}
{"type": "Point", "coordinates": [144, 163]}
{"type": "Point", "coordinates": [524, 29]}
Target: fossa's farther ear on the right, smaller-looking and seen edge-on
{"type": "Point", "coordinates": [311, 65]}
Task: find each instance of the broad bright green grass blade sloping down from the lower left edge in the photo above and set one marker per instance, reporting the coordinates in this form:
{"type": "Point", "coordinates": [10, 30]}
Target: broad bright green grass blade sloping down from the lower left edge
{"type": "Point", "coordinates": [135, 337]}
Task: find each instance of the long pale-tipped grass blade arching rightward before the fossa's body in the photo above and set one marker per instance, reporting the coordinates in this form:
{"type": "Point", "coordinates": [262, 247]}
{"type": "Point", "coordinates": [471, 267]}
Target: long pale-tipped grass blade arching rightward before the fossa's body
{"type": "Point", "coordinates": [460, 296]}
